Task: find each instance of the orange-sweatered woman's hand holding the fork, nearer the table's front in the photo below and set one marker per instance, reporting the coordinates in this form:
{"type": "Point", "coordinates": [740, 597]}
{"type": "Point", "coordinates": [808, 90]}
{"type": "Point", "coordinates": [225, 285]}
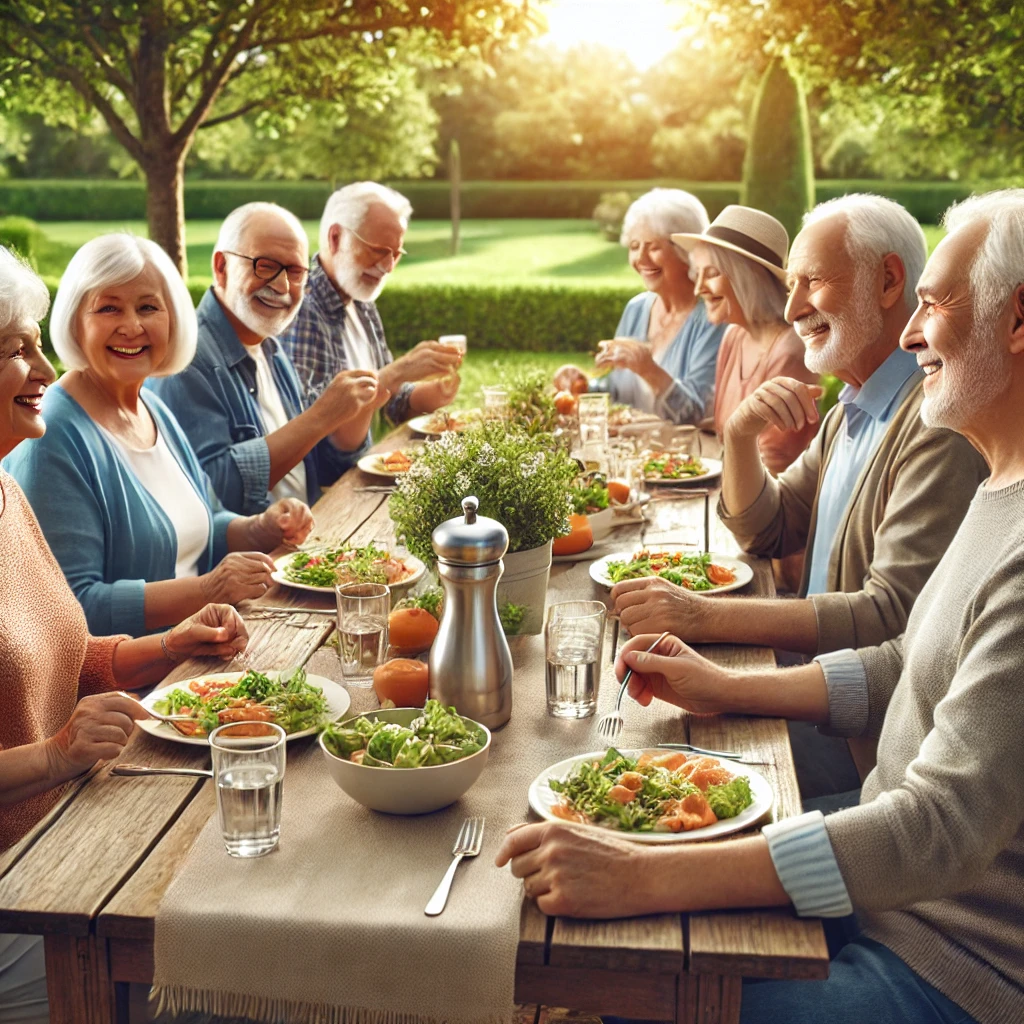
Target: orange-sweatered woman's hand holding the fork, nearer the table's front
{"type": "Point", "coordinates": [99, 729]}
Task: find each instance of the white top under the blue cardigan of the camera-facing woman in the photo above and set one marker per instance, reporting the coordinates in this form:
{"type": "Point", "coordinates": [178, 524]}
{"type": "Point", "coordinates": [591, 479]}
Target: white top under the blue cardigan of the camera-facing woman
{"type": "Point", "coordinates": [160, 474]}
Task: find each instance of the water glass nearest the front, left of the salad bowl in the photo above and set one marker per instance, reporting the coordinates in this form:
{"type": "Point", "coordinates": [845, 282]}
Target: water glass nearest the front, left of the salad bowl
{"type": "Point", "coordinates": [249, 773]}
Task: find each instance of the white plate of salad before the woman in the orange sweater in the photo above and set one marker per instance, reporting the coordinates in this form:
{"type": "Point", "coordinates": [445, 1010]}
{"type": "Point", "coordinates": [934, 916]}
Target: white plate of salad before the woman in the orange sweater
{"type": "Point", "coordinates": [301, 704]}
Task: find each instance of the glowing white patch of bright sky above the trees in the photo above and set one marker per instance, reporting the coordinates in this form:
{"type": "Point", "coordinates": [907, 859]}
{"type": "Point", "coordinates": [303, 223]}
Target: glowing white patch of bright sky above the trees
{"type": "Point", "coordinates": [643, 28]}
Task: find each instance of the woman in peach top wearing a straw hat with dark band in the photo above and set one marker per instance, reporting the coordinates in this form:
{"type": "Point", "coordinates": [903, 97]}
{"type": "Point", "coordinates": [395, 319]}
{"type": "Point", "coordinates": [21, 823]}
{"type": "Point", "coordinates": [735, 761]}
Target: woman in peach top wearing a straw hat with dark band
{"type": "Point", "coordinates": [738, 266]}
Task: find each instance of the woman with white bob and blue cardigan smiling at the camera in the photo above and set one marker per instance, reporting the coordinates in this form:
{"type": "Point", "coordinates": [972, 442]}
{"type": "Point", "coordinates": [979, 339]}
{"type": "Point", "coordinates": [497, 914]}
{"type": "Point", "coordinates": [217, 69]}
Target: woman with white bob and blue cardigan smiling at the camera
{"type": "Point", "coordinates": [119, 493]}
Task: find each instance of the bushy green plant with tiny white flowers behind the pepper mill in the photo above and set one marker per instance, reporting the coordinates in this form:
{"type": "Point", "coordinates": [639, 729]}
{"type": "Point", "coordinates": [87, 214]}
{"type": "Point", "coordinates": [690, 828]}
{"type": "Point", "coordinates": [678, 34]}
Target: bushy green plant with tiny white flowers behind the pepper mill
{"type": "Point", "coordinates": [523, 481]}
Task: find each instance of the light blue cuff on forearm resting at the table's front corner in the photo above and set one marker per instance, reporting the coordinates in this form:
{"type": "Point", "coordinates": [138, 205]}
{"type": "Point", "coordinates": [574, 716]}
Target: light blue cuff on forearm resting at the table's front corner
{"type": "Point", "coordinates": [806, 866]}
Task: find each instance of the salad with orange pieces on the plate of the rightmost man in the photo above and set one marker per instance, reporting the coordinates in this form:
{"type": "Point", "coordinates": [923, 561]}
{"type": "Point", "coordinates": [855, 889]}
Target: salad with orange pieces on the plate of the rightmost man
{"type": "Point", "coordinates": [656, 792]}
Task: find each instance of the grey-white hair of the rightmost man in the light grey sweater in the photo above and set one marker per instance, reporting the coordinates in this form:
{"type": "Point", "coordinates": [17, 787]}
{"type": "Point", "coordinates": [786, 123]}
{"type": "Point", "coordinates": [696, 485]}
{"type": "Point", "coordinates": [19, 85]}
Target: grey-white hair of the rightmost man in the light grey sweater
{"type": "Point", "coordinates": [999, 268]}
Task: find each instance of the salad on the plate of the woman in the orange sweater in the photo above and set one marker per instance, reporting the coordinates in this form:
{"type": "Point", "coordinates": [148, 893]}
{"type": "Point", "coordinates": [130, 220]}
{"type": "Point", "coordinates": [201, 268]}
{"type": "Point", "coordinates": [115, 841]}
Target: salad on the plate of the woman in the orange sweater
{"type": "Point", "coordinates": [288, 701]}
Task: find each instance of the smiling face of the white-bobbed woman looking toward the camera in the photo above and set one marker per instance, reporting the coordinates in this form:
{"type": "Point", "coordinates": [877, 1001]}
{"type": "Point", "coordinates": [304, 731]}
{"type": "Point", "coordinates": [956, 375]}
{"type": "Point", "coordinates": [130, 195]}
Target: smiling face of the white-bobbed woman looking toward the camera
{"type": "Point", "coordinates": [123, 330]}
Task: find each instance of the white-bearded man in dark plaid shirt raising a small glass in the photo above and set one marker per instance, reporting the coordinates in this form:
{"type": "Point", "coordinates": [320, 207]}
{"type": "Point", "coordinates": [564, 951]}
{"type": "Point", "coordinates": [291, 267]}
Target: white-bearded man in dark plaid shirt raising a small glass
{"type": "Point", "coordinates": [338, 328]}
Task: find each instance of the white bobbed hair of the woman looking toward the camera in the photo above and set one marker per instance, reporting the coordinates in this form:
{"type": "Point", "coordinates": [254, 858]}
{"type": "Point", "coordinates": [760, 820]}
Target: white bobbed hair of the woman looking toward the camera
{"type": "Point", "coordinates": [111, 261]}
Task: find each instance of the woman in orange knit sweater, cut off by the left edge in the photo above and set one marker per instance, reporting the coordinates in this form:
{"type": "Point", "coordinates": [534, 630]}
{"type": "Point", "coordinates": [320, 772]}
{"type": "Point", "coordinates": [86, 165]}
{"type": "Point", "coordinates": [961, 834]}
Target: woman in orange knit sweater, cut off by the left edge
{"type": "Point", "coordinates": [62, 709]}
